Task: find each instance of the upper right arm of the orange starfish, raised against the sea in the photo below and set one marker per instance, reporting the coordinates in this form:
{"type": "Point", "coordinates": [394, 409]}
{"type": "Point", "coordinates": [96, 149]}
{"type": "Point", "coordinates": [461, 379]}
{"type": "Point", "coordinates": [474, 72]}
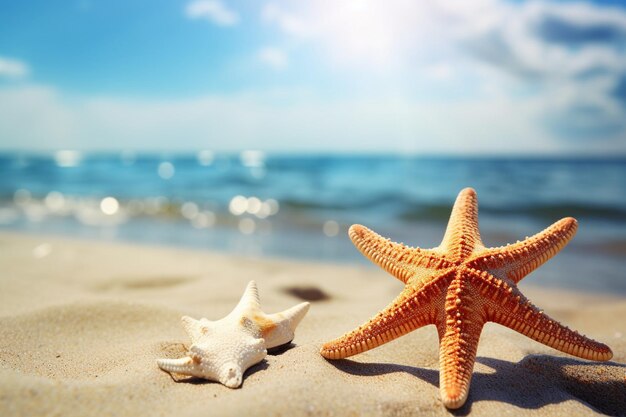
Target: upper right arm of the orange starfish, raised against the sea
{"type": "Point", "coordinates": [517, 260]}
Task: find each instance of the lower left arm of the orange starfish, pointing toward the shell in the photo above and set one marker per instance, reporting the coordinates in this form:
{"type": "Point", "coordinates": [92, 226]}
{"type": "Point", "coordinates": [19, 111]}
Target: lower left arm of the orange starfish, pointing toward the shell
{"type": "Point", "coordinates": [409, 311]}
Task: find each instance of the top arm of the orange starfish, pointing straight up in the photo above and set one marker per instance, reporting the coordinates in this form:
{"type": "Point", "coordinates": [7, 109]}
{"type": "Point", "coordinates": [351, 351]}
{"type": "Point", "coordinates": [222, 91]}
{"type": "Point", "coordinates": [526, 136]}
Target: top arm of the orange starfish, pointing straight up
{"type": "Point", "coordinates": [462, 235]}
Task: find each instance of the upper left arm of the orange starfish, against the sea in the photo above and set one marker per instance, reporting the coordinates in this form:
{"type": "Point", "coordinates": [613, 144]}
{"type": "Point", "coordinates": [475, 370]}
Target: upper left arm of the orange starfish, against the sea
{"type": "Point", "coordinates": [399, 260]}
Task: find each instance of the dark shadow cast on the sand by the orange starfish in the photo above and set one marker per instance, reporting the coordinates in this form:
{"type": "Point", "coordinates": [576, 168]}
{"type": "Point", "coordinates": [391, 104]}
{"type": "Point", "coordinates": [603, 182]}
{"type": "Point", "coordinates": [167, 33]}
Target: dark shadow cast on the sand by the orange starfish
{"type": "Point", "coordinates": [532, 383]}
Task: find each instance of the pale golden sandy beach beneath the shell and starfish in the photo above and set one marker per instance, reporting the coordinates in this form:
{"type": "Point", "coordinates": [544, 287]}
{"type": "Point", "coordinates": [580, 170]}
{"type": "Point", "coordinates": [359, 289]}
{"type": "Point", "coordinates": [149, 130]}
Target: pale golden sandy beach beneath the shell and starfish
{"type": "Point", "coordinates": [82, 323]}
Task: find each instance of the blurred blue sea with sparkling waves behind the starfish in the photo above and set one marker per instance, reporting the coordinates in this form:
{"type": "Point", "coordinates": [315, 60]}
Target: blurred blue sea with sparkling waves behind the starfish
{"type": "Point", "coordinates": [300, 206]}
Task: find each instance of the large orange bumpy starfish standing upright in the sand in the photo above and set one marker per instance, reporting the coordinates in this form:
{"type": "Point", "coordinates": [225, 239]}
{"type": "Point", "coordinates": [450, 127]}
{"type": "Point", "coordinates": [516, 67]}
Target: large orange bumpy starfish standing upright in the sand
{"type": "Point", "coordinates": [459, 286]}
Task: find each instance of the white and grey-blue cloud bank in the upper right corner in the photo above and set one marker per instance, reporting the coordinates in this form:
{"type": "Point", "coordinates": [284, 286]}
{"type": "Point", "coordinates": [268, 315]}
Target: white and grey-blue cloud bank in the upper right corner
{"type": "Point", "coordinates": [574, 56]}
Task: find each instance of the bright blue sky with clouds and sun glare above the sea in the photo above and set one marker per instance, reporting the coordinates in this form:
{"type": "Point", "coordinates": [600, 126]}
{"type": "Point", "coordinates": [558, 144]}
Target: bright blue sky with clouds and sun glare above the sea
{"type": "Point", "coordinates": [485, 76]}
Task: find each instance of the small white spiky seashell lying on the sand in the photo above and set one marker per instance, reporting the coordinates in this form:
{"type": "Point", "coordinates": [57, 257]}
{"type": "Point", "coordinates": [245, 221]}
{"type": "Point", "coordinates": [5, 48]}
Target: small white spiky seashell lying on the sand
{"type": "Point", "coordinates": [222, 350]}
